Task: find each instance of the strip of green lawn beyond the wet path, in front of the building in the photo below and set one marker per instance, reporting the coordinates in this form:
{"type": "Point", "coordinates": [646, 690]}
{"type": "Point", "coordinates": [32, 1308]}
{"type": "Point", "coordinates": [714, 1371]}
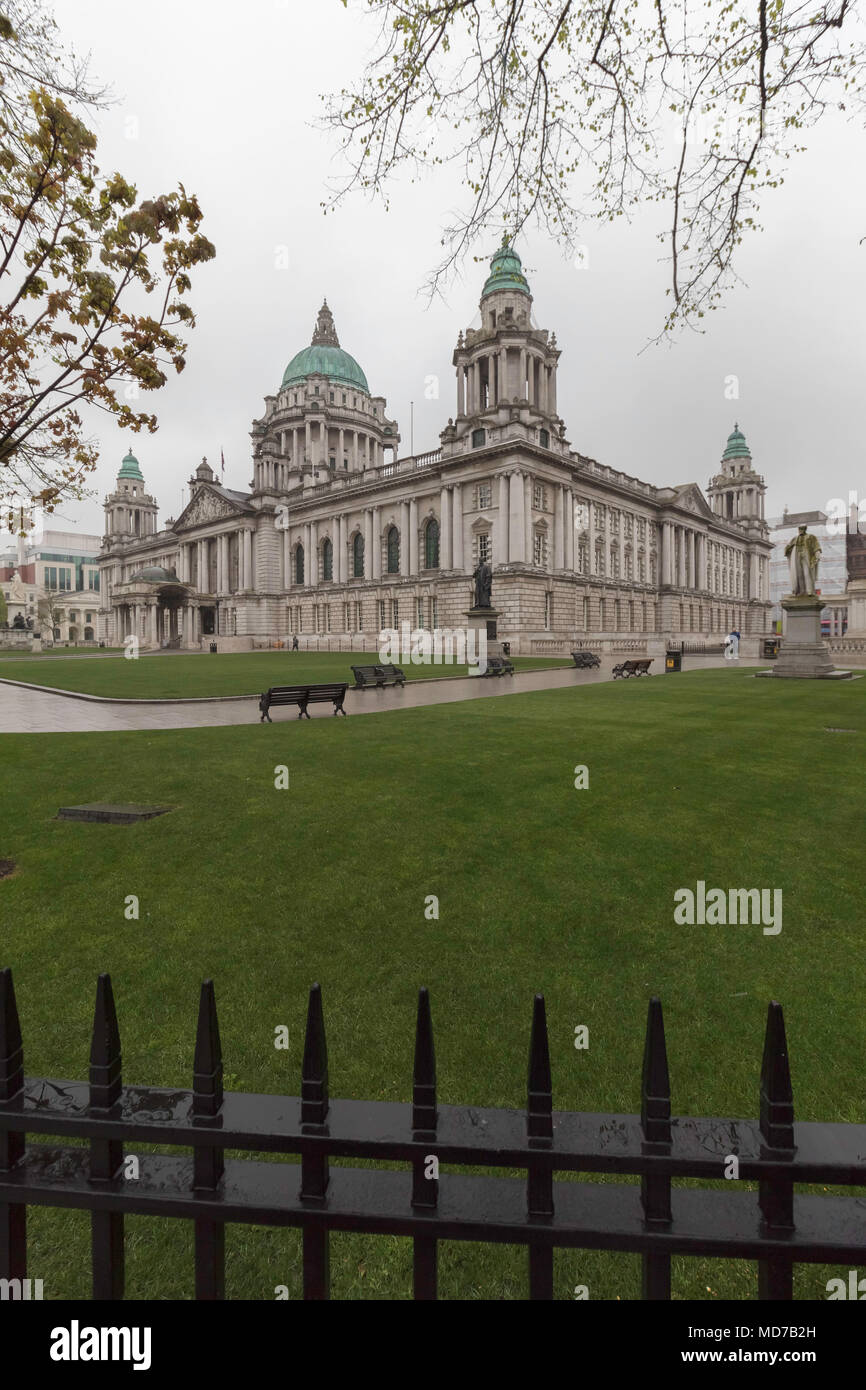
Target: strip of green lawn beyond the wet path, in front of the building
{"type": "Point", "coordinates": [237, 673]}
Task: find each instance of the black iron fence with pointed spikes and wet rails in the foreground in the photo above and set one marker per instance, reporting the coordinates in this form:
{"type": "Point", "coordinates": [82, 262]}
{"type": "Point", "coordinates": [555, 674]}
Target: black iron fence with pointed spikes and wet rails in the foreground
{"type": "Point", "coordinates": [655, 1220]}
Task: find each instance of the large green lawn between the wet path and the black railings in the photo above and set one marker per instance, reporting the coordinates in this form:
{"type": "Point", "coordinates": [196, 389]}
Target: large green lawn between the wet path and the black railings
{"type": "Point", "coordinates": [710, 775]}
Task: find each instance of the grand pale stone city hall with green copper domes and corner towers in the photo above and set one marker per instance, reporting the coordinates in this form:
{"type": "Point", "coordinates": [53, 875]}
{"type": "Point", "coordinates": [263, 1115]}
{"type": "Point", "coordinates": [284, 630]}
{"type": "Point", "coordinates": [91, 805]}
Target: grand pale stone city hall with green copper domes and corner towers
{"type": "Point", "coordinates": [340, 537]}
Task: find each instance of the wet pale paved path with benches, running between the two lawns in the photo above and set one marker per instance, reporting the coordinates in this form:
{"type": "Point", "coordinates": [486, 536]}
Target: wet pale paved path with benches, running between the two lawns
{"type": "Point", "coordinates": [27, 711]}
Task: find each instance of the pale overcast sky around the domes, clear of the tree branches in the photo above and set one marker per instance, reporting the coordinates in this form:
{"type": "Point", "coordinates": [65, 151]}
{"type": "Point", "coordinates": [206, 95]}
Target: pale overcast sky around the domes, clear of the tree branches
{"type": "Point", "coordinates": [223, 97]}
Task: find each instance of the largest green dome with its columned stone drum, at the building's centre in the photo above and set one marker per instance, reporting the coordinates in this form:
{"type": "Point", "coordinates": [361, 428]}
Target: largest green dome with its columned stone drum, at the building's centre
{"type": "Point", "coordinates": [323, 422]}
